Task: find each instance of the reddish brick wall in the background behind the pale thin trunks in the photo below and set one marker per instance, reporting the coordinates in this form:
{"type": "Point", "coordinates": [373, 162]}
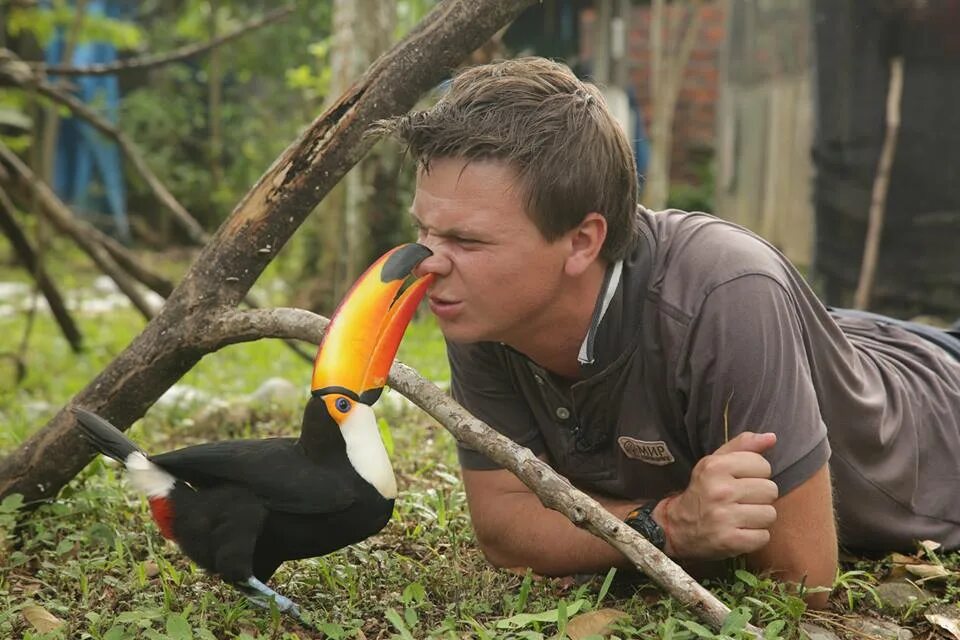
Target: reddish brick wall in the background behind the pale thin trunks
{"type": "Point", "coordinates": [694, 124]}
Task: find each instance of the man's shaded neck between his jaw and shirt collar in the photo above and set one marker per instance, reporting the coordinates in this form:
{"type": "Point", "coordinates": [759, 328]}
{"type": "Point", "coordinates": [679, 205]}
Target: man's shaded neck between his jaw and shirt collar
{"type": "Point", "coordinates": [555, 344]}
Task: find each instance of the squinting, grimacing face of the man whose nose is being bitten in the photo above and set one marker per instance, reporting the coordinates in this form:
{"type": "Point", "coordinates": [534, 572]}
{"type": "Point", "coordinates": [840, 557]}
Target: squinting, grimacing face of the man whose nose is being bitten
{"type": "Point", "coordinates": [496, 276]}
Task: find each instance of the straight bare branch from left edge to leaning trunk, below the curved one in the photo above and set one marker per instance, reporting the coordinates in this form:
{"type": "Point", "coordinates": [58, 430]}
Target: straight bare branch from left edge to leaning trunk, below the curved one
{"type": "Point", "coordinates": [63, 219]}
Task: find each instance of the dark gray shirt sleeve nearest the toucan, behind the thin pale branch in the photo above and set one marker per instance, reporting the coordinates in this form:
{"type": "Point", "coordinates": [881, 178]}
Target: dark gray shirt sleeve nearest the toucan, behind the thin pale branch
{"type": "Point", "coordinates": [483, 382]}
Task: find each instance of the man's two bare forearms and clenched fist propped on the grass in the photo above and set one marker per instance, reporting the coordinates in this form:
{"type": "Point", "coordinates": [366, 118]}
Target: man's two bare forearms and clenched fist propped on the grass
{"type": "Point", "coordinates": [515, 530]}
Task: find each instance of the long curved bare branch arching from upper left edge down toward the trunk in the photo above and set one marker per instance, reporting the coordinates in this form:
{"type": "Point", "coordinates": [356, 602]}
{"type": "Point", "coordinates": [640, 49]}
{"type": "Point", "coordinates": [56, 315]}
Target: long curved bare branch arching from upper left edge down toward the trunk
{"type": "Point", "coordinates": [12, 70]}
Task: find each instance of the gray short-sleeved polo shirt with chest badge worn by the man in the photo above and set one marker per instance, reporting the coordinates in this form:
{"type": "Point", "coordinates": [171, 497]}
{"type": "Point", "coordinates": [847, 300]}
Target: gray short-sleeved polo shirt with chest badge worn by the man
{"type": "Point", "coordinates": [707, 331]}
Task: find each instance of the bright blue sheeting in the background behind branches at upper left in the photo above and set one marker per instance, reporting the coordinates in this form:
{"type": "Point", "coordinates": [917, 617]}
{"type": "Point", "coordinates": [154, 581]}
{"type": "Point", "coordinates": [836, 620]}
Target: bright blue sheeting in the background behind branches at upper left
{"type": "Point", "coordinates": [88, 174]}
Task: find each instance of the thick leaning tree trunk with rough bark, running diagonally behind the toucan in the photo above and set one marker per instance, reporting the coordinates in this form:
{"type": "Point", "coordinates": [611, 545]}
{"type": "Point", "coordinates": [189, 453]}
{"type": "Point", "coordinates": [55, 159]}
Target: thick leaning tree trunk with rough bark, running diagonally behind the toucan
{"type": "Point", "coordinates": [248, 240]}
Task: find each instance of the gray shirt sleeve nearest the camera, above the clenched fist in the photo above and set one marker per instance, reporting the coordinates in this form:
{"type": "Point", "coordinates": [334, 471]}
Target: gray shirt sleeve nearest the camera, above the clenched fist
{"type": "Point", "coordinates": [749, 370]}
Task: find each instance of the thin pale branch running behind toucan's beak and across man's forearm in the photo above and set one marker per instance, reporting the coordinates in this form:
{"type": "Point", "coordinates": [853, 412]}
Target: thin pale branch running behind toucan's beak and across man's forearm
{"type": "Point", "coordinates": [554, 491]}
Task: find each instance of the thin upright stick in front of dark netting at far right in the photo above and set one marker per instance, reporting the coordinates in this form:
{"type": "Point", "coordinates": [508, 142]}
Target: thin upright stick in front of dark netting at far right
{"type": "Point", "coordinates": [881, 182]}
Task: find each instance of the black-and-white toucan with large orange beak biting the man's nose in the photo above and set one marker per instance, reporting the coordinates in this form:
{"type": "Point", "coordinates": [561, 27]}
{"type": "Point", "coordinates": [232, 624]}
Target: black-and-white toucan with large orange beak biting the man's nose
{"type": "Point", "coordinates": [240, 508]}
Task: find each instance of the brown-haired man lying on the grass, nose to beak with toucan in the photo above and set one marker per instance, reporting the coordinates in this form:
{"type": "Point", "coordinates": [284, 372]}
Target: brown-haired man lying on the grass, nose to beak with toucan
{"type": "Point", "coordinates": [674, 365]}
